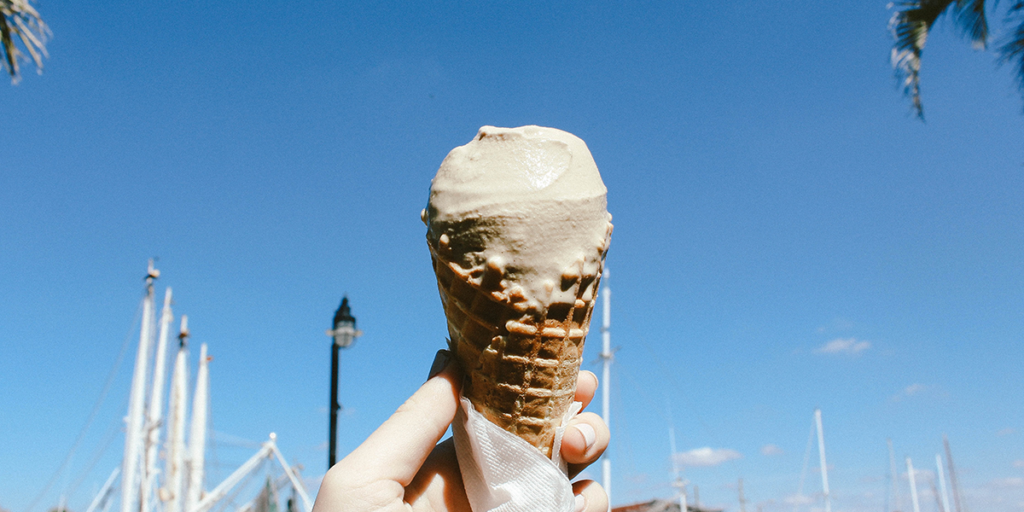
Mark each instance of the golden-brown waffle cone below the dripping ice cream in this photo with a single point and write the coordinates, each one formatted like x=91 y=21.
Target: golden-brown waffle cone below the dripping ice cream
x=521 y=364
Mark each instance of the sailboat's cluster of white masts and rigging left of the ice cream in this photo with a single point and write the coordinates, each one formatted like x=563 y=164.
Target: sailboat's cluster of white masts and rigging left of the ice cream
x=180 y=486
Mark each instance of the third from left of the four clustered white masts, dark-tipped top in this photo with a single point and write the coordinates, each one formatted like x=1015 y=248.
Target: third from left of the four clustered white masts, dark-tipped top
x=175 y=481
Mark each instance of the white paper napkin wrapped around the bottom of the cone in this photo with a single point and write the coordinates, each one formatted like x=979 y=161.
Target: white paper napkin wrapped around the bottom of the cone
x=504 y=474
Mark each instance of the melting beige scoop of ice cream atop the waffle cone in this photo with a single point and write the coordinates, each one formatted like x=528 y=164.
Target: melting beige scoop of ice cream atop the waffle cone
x=526 y=206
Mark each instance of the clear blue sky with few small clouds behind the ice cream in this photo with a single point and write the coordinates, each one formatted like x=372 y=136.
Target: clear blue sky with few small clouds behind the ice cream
x=787 y=235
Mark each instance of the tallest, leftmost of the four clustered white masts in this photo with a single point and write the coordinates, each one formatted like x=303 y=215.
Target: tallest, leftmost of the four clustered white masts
x=135 y=434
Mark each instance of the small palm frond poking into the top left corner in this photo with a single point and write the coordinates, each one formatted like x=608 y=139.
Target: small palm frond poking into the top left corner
x=20 y=20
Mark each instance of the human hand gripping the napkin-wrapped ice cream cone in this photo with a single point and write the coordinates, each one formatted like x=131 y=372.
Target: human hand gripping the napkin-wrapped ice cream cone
x=402 y=467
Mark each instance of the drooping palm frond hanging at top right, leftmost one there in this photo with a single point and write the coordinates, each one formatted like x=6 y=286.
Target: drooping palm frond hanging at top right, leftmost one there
x=911 y=26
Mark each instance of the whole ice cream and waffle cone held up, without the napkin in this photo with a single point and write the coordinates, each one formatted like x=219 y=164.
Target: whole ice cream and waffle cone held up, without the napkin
x=519 y=228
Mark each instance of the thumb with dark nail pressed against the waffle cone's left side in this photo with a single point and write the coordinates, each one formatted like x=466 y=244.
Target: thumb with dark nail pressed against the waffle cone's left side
x=399 y=448
